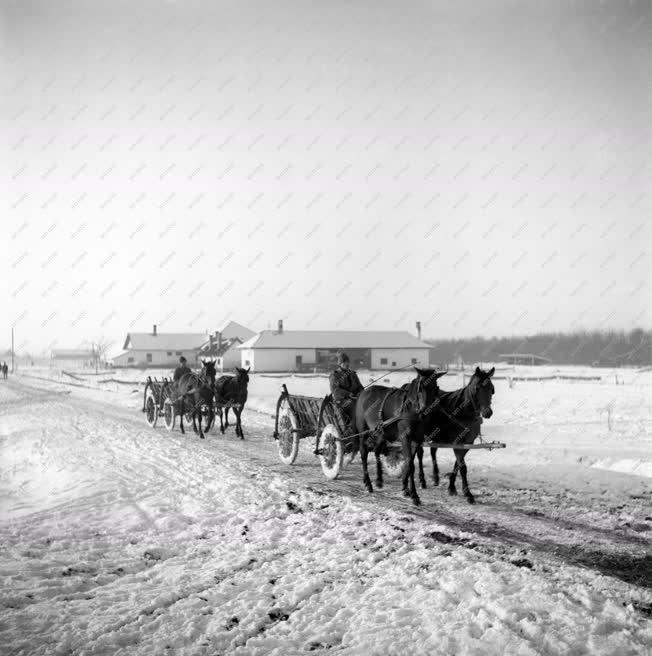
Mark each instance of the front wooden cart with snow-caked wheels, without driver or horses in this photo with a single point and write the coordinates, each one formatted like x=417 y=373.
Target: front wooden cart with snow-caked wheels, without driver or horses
x=300 y=417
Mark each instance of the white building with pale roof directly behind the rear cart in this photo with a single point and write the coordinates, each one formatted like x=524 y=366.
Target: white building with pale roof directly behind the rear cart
x=159 y=349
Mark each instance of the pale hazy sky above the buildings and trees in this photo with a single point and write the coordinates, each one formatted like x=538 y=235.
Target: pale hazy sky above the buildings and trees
x=483 y=167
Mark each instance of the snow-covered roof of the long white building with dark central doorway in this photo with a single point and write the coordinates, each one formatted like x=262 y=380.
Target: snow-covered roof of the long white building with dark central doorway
x=334 y=339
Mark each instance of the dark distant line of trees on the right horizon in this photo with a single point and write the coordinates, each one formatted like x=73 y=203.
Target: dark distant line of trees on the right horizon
x=605 y=349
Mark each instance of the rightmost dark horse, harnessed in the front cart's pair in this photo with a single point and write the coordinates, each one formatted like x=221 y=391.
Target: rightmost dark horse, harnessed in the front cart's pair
x=456 y=418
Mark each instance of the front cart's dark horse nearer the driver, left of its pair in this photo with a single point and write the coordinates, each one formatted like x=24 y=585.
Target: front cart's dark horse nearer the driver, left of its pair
x=404 y=408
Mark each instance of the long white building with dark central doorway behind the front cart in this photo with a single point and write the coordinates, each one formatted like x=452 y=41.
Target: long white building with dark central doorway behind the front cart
x=308 y=350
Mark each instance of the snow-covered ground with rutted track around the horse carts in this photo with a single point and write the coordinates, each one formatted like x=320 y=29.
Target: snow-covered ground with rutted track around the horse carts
x=121 y=539
